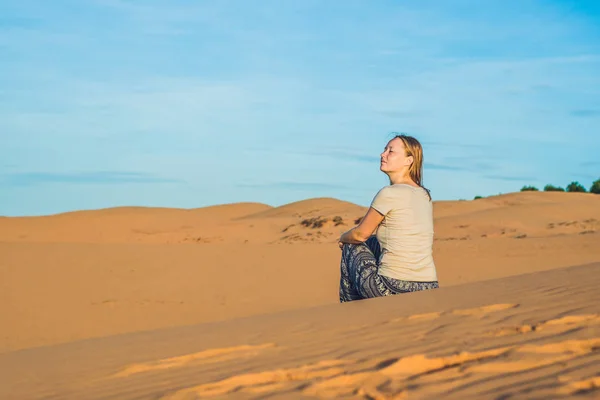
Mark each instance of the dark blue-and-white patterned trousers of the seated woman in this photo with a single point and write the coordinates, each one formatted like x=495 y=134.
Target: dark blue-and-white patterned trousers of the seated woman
x=360 y=277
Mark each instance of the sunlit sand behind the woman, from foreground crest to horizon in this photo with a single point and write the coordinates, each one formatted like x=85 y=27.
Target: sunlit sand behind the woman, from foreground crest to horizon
x=95 y=273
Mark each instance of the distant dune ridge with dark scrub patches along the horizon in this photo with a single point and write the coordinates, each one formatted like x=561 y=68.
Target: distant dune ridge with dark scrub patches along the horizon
x=525 y=214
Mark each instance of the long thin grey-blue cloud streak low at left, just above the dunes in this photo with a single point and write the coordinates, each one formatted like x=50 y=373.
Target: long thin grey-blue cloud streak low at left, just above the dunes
x=90 y=178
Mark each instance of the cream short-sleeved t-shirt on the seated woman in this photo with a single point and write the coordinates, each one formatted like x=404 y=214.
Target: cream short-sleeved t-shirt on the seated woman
x=406 y=233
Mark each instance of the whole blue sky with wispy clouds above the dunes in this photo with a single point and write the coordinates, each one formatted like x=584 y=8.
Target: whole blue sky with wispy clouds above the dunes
x=192 y=103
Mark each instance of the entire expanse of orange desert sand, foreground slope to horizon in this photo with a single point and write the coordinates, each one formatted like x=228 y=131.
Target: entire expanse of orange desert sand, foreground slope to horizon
x=240 y=301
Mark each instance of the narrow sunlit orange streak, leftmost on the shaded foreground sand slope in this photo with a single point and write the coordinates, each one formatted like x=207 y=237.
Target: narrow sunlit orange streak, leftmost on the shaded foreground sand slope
x=204 y=357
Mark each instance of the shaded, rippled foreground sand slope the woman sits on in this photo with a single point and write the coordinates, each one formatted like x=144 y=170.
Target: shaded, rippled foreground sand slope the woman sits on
x=534 y=336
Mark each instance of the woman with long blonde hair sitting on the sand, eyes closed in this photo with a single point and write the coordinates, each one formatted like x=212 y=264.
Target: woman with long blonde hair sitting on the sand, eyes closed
x=398 y=259
